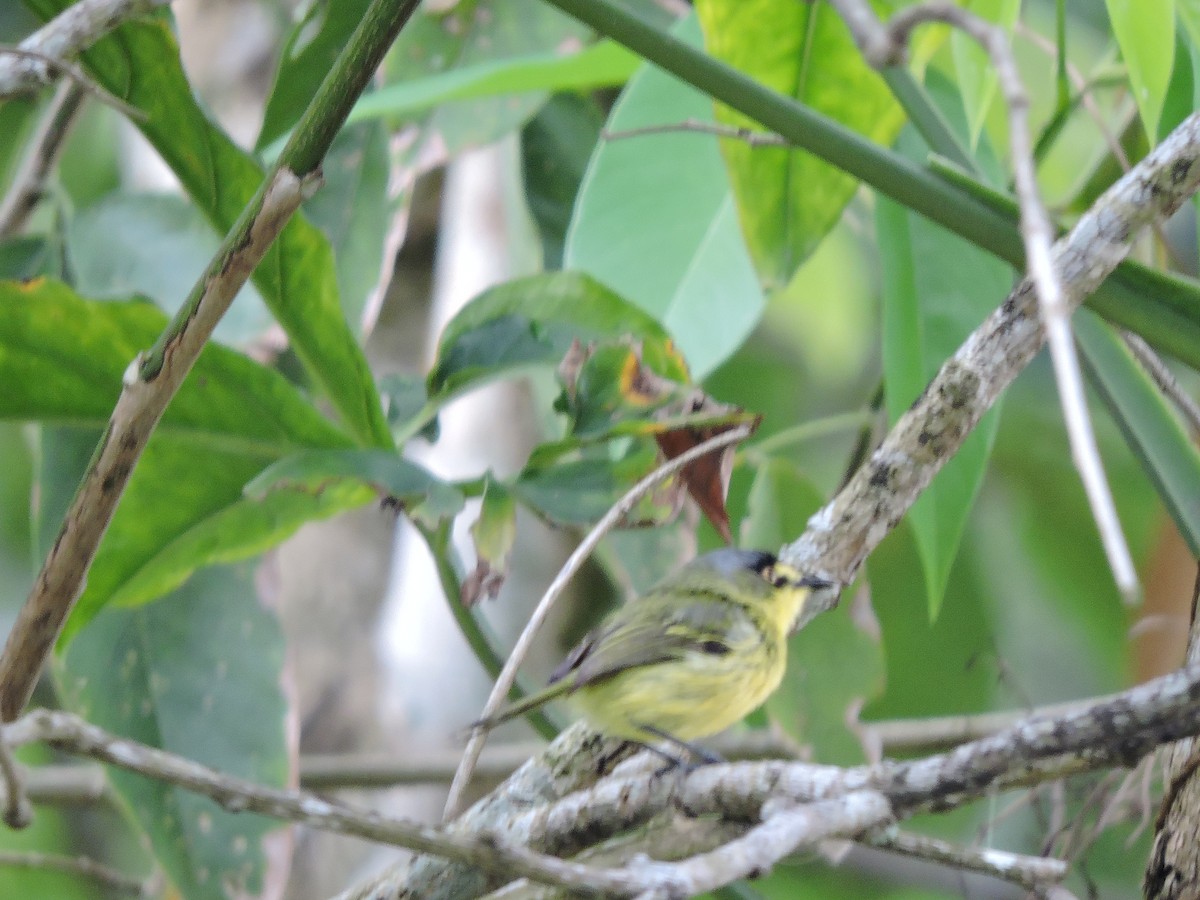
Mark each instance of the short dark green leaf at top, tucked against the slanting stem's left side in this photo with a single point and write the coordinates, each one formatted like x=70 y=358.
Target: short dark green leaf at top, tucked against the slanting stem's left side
x=309 y=53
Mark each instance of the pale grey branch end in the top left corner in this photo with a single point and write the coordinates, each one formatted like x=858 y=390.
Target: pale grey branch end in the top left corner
x=65 y=37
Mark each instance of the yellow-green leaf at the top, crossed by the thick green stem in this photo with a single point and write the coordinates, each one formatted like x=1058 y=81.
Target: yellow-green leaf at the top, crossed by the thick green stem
x=789 y=200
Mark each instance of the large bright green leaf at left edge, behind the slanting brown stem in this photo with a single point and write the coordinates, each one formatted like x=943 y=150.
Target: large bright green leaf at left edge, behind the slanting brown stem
x=62 y=359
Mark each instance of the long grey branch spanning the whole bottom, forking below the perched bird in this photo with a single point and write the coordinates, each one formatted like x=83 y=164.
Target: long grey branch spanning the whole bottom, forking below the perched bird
x=796 y=802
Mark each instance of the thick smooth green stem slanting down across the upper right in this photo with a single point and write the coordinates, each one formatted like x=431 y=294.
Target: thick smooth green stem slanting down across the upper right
x=1121 y=299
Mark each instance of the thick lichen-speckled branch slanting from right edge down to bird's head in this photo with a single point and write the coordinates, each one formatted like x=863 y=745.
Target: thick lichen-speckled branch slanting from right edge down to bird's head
x=842 y=535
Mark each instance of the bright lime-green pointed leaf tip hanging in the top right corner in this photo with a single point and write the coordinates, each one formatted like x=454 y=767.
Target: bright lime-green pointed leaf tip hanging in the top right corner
x=1145 y=32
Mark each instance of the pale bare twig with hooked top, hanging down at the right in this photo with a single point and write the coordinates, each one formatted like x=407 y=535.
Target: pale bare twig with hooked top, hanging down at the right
x=883 y=46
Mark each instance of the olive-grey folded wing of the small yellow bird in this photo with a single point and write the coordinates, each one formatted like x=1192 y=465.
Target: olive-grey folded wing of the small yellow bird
x=629 y=641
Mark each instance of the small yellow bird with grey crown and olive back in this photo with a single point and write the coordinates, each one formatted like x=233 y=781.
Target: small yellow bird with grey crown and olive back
x=698 y=653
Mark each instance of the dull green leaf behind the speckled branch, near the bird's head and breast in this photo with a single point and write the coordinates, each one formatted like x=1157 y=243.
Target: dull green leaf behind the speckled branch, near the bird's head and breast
x=832 y=663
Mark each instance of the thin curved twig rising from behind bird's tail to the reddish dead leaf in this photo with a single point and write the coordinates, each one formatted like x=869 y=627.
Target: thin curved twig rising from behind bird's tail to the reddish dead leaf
x=525 y=643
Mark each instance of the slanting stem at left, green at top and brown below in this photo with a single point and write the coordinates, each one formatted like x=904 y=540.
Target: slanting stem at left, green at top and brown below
x=153 y=380
